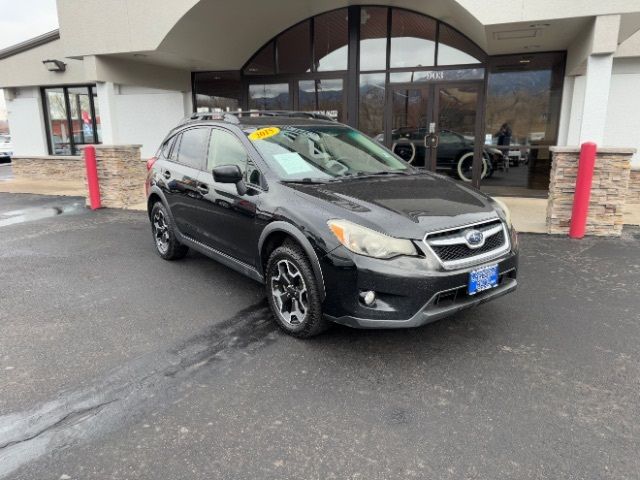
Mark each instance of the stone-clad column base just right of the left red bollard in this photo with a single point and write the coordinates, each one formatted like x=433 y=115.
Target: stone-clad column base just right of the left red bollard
x=121 y=174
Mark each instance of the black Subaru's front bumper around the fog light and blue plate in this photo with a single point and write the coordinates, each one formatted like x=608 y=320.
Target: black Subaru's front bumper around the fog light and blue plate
x=410 y=291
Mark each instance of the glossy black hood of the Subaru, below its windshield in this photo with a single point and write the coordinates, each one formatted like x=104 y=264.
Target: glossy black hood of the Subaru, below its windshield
x=403 y=206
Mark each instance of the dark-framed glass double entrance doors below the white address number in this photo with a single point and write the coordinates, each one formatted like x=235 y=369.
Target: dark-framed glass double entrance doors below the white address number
x=435 y=126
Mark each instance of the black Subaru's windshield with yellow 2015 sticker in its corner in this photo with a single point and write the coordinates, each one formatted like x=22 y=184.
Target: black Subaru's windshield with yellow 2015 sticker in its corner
x=323 y=153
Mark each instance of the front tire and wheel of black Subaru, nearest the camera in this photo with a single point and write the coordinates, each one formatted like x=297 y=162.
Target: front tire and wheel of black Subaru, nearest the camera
x=293 y=292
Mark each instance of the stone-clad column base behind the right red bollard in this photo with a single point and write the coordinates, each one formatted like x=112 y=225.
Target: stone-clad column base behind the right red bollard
x=608 y=191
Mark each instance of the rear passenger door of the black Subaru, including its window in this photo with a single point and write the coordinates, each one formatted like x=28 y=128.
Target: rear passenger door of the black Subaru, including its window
x=180 y=177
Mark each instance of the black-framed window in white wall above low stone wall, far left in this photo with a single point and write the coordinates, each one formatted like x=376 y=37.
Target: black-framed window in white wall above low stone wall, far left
x=72 y=119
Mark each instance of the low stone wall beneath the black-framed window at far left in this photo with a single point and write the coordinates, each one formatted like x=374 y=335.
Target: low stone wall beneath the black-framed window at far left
x=48 y=168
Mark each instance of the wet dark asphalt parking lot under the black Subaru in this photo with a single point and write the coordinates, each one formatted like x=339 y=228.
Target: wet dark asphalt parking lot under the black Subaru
x=116 y=364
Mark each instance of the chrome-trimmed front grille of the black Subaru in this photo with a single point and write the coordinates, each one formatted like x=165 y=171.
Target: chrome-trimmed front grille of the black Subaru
x=453 y=251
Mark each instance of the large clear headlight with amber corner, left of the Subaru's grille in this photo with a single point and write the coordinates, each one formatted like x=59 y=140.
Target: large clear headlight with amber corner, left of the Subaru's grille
x=365 y=241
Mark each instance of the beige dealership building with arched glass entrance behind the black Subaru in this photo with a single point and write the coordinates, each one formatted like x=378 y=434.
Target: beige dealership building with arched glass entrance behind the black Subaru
x=508 y=78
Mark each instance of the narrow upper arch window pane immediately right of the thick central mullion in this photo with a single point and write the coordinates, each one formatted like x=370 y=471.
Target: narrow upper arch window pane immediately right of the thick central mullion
x=373 y=38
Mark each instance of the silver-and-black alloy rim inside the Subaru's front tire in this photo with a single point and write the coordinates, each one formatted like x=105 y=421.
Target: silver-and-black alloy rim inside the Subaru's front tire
x=289 y=292
